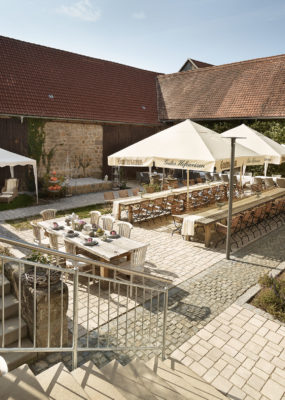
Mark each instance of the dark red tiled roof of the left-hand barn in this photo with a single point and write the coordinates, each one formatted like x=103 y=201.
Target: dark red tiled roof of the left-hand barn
x=45 y=82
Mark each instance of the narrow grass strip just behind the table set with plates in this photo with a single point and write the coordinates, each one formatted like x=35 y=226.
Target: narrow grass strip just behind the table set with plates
x=83 y=212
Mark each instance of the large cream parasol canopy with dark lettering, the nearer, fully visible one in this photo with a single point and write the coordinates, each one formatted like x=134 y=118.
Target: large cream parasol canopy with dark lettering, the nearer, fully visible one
x=188 y=146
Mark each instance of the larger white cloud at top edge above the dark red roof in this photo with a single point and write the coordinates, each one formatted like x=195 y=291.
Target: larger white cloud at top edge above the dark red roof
x=83 y=10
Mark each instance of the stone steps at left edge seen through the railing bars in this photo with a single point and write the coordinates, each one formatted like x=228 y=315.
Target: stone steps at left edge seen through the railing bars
x=11 y=328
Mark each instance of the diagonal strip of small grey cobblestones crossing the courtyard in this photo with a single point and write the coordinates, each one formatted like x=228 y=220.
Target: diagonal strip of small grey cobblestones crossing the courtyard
x=193 y=304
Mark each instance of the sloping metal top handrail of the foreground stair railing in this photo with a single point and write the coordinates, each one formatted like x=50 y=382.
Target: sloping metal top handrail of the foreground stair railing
x=57 y=253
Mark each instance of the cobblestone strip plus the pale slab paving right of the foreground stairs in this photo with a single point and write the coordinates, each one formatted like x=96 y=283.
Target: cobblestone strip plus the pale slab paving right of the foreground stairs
x=199 y=330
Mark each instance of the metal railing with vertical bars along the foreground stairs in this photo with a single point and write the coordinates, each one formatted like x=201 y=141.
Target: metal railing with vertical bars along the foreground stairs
x=103 y=315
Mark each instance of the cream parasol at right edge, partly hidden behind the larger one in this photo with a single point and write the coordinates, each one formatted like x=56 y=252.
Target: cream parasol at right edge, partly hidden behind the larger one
x=274 y=152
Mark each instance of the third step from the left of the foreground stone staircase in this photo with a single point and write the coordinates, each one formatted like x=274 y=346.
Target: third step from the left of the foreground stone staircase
x=95 y=384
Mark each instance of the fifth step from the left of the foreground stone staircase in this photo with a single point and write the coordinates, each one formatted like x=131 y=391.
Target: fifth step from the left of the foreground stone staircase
x=153 y=382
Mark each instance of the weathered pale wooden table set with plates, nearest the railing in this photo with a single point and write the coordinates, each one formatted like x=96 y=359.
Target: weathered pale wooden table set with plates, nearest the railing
x=106 y=251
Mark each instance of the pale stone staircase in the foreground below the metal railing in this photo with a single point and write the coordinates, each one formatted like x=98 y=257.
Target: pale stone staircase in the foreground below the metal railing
x=167 y=380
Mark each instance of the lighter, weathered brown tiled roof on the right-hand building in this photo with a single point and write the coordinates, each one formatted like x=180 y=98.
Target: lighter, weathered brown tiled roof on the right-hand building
x=247 y=89
